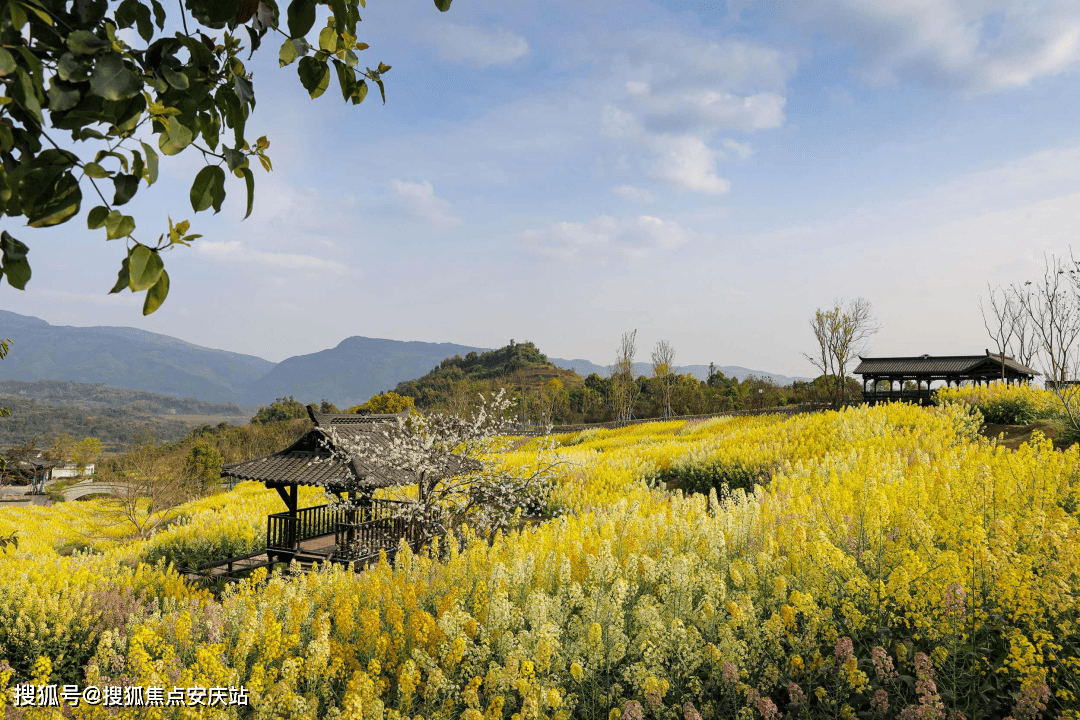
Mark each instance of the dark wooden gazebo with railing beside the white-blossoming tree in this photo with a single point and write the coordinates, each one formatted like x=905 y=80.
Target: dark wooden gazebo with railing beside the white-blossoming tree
x=325 y=533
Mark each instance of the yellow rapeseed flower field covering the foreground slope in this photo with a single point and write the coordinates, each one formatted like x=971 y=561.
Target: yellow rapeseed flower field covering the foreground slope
x=892 y=564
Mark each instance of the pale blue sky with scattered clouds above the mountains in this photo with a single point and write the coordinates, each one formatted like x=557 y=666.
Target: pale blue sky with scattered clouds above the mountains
x=708 y=173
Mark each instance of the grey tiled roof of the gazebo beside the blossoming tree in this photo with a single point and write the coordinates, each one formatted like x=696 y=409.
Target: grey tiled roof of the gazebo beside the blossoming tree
x=310 y=460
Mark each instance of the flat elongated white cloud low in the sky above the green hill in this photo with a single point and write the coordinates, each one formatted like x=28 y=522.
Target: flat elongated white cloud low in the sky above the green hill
x=606 y=236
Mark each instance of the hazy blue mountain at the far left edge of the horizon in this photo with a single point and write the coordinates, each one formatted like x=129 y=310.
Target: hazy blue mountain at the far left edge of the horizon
x=125 y=358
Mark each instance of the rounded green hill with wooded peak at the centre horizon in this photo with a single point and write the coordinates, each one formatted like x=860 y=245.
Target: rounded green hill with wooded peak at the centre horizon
x=514 y=365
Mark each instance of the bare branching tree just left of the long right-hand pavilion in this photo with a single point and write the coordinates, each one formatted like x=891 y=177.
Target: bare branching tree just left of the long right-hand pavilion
x=843 y=333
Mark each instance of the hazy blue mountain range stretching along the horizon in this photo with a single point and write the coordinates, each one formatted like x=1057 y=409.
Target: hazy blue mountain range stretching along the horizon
x=350 y=373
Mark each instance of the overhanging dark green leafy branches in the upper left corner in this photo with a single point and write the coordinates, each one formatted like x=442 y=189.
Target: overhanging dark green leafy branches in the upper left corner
x=82 y=110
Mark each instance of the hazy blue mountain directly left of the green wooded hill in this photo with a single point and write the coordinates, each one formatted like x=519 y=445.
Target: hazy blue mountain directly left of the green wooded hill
x=353 y=372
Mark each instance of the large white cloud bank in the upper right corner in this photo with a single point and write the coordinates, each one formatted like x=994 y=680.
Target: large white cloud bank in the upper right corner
x=970 y=46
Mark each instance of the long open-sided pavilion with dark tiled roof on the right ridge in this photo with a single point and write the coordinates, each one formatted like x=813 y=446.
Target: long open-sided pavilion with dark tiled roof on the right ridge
x=927 y=370
